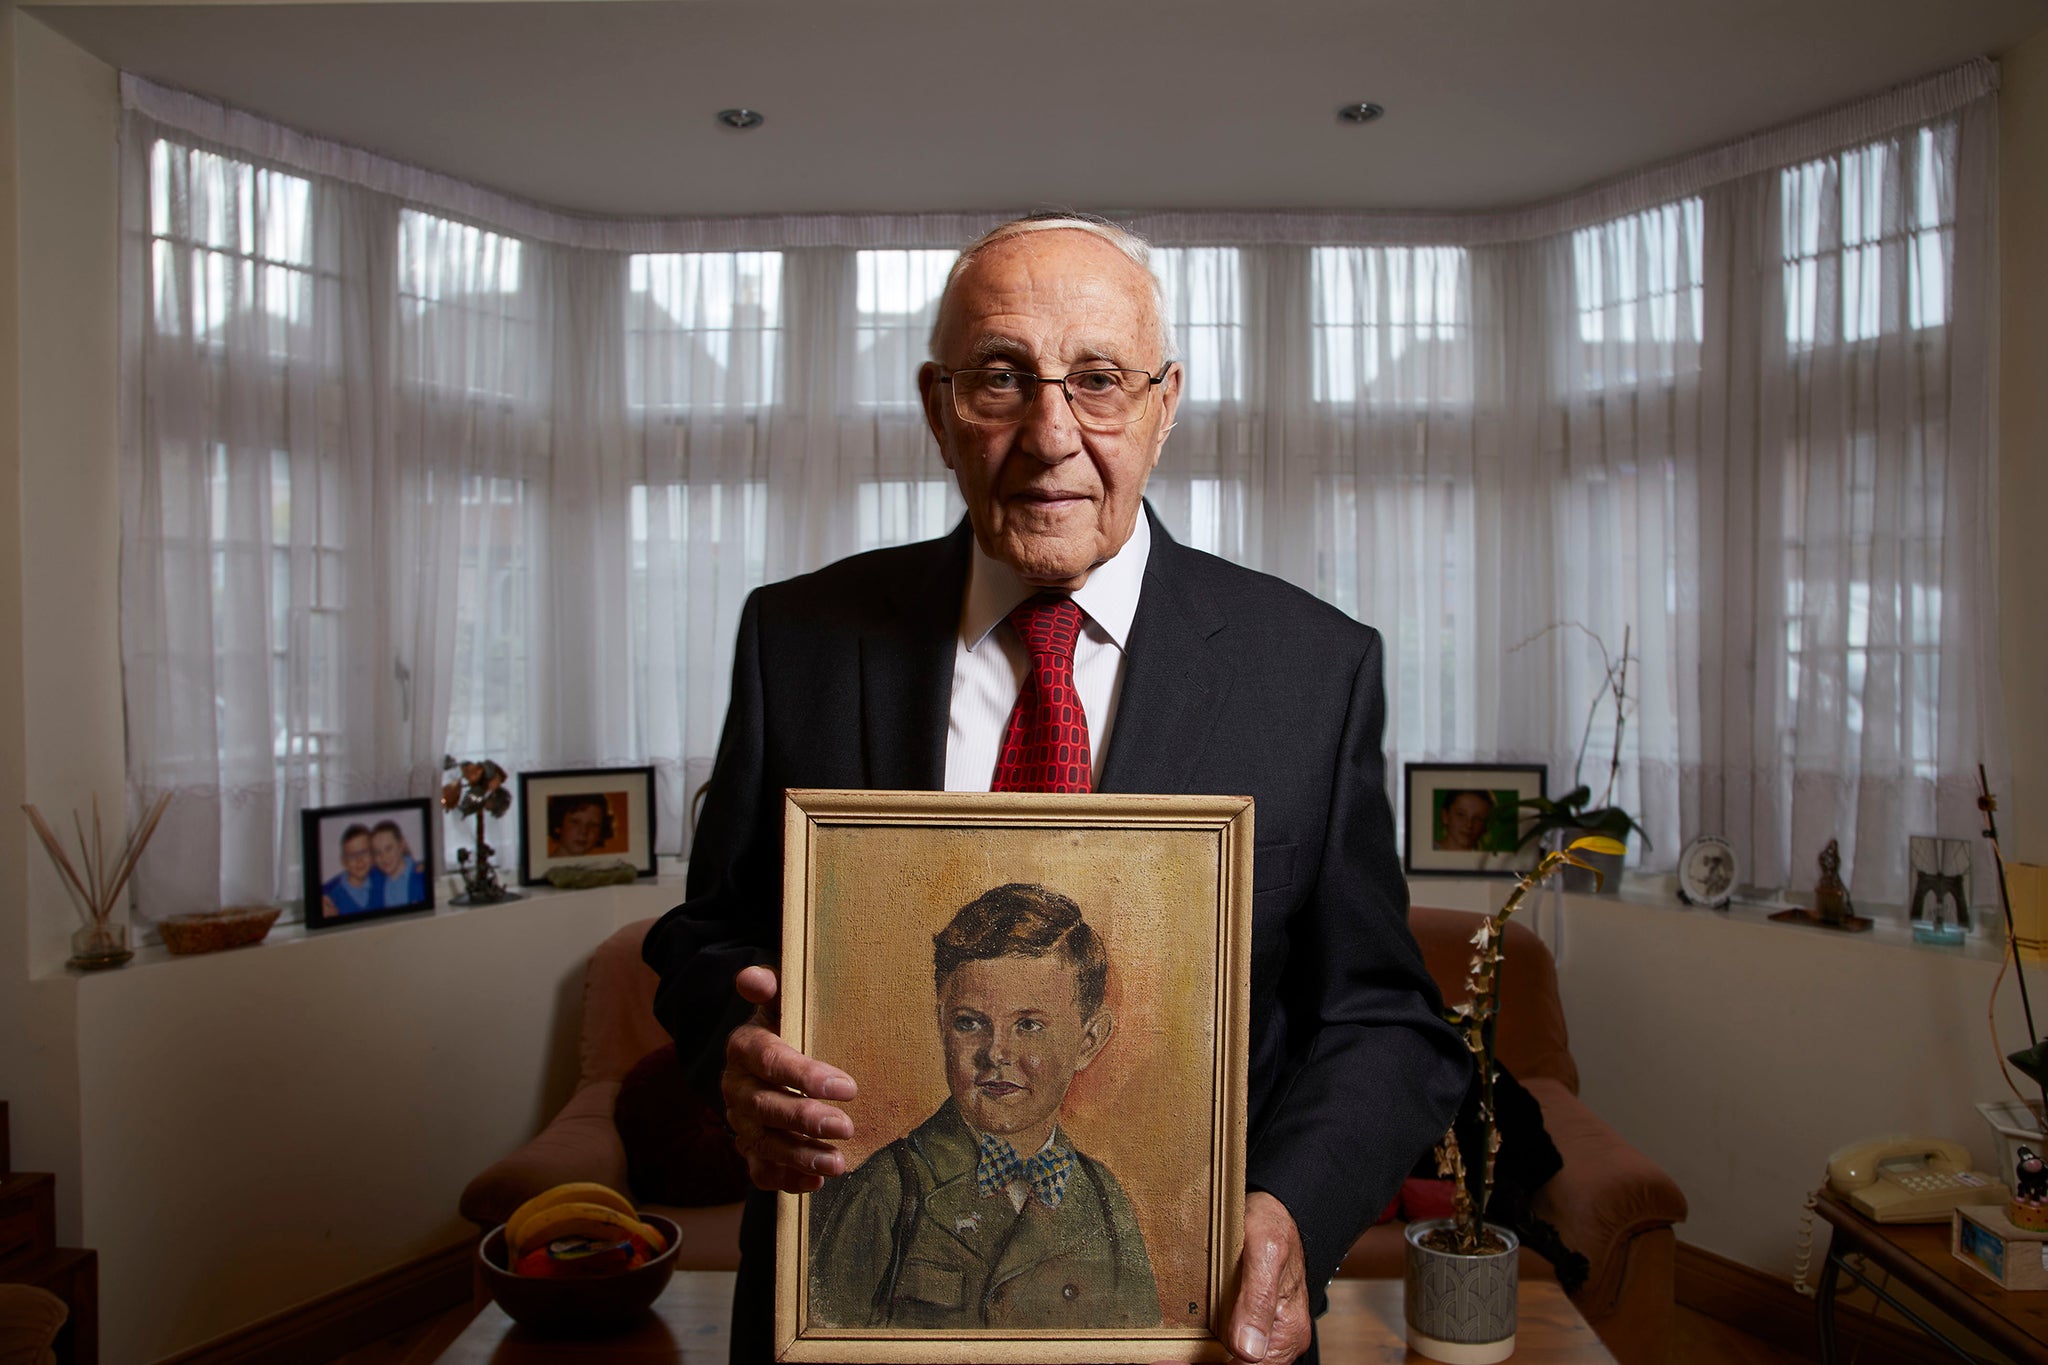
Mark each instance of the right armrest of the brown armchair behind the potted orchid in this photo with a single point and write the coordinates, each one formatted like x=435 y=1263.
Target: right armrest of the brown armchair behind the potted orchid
x=1607 y=1194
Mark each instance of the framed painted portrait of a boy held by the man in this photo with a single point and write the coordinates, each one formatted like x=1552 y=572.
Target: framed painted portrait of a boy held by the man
x=1043 y=1004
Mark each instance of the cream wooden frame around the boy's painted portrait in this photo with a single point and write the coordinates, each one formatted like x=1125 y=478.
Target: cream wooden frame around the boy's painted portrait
x=833 y=826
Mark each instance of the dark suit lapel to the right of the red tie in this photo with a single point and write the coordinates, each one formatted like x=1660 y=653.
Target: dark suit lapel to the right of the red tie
x=1175 y=682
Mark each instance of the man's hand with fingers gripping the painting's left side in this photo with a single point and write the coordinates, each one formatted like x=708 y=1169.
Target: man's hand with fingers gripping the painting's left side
x=775 y=1100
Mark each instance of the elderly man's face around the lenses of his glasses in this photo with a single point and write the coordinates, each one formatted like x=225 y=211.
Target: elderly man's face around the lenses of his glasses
x=1048 y=496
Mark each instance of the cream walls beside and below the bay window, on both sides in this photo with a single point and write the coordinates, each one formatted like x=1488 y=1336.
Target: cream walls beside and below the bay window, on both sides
x=237 y=1135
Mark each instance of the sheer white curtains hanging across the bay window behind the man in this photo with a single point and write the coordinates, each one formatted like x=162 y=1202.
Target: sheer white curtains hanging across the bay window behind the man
x=417 y=470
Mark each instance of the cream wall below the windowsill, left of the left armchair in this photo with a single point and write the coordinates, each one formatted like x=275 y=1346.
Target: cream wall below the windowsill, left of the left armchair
x=269 y=1125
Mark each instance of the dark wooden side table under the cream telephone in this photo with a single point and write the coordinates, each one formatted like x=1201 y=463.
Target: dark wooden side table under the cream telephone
x=1918 y=1256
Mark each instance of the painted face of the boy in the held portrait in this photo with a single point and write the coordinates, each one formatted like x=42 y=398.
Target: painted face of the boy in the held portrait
x=1015 y=1041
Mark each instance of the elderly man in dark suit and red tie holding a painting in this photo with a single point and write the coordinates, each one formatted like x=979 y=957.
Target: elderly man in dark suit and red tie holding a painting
x=1060 y=640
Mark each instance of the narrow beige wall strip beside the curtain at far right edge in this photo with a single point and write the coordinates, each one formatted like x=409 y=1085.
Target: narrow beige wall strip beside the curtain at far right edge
x=2024 y=433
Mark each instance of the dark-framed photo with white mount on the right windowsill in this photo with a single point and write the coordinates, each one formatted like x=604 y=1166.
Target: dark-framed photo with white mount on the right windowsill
x=1463 y=818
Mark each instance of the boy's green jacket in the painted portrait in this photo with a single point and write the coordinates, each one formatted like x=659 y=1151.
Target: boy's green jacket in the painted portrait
x=939 y=1256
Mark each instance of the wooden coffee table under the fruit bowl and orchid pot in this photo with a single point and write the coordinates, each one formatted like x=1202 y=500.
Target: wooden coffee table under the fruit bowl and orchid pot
x=1363 y=1327
